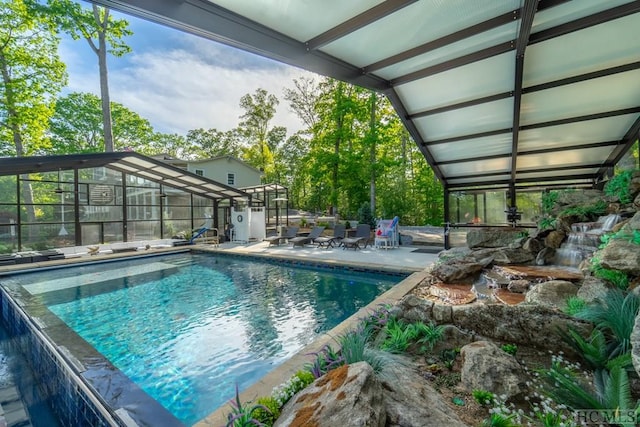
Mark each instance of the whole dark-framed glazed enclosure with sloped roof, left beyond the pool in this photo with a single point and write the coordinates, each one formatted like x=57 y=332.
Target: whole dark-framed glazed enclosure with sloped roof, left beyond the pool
x=85 y=199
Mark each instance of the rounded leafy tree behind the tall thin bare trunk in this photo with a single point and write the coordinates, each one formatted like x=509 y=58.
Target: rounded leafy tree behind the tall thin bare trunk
x=76 y=126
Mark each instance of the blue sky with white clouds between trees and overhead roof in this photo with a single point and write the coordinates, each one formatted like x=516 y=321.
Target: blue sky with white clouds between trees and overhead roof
x=178 y=81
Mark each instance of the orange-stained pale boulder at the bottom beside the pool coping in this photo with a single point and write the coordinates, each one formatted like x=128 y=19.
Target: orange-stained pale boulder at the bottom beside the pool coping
x=350 y=395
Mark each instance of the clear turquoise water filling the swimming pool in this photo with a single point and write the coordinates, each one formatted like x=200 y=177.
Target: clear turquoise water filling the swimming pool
x=193 y=326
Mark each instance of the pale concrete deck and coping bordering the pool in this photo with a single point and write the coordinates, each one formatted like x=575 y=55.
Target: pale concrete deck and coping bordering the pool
x=401 y=259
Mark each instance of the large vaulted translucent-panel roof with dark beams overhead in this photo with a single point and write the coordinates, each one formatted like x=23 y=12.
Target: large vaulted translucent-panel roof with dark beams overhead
x=495 y=93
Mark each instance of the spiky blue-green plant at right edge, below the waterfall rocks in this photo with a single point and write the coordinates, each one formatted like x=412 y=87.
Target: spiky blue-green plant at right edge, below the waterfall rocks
x=614 y=316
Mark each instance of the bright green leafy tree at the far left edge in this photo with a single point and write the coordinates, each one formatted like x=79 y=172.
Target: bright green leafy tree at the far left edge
x=31 y=75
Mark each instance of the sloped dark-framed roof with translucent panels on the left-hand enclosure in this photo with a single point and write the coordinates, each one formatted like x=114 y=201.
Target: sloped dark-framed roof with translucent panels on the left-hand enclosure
x=128 y=162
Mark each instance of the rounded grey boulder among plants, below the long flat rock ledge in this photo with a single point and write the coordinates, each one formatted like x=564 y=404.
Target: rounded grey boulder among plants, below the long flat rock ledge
x=485 y=366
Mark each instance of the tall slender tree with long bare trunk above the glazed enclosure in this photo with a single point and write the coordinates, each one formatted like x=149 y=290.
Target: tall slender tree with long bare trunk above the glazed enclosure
x=103 y=33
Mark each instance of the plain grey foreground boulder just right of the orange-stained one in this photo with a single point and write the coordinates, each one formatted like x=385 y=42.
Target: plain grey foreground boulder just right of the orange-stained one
x=409 y=400
